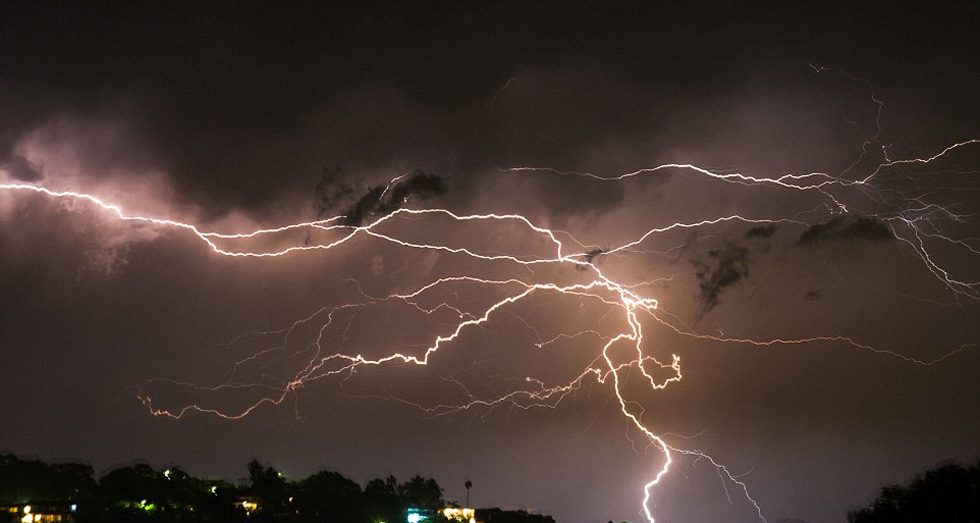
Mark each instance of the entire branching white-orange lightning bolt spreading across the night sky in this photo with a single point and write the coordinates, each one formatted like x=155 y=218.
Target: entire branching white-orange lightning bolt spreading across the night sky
x=912 y=218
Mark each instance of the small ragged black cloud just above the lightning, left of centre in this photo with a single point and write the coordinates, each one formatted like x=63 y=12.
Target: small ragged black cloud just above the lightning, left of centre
x=383 y=199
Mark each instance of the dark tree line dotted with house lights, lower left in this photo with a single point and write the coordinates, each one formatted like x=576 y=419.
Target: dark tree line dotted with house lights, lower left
x=141 y=493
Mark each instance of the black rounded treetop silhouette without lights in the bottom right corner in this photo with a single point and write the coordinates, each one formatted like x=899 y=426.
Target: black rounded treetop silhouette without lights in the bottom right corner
x=949 y=493
